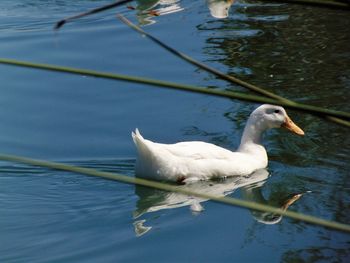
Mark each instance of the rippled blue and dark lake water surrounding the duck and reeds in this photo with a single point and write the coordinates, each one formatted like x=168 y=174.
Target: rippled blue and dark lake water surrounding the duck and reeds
x=299 y=52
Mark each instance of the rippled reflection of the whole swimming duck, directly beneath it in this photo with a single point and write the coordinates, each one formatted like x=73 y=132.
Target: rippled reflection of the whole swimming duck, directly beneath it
x=152 y=200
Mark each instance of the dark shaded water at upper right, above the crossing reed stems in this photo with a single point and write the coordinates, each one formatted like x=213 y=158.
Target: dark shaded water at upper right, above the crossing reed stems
x=293 y=52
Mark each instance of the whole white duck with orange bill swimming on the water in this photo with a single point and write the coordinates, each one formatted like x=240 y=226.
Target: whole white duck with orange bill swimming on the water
x=192 y=161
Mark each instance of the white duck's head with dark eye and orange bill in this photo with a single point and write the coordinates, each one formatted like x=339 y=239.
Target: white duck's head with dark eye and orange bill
x=270 y=116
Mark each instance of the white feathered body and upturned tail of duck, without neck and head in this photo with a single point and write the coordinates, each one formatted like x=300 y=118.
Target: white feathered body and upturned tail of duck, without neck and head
x=193 y=160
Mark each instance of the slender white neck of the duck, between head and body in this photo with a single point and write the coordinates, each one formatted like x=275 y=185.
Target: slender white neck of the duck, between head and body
x=252 y=136
